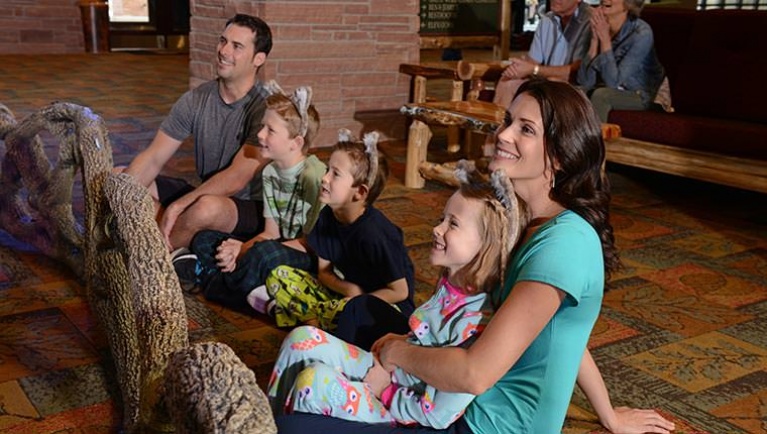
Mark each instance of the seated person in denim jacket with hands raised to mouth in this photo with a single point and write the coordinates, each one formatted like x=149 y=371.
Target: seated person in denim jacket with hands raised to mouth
x=621 y=70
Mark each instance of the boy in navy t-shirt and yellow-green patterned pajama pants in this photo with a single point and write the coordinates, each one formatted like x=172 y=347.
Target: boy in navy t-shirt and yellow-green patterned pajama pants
x=359 y=250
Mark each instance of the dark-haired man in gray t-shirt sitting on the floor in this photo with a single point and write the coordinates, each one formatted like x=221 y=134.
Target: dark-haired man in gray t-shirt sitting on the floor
x=223 y=116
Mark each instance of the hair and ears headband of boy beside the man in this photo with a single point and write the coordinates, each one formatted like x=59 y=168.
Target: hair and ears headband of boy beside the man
x=297 y=110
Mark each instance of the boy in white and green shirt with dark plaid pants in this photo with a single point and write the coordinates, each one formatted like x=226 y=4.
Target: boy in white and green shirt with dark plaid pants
x=227 y=268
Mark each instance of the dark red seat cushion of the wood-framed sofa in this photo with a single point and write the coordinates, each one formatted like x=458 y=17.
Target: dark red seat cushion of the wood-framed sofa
x=724 y=136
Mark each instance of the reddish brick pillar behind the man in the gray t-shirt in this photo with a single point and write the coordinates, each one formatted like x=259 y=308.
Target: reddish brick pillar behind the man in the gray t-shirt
x=349 y=51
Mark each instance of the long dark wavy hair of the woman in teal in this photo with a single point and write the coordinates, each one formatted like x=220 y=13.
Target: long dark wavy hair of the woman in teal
x=573 y=140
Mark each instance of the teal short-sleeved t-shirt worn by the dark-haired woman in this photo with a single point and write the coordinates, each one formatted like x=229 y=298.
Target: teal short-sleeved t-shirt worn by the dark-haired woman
x=534 y=395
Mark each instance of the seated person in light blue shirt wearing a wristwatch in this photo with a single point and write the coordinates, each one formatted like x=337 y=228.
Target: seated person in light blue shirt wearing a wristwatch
x=559 y=44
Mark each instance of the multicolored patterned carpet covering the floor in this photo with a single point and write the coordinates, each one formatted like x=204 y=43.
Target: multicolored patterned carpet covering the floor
x=684 y=329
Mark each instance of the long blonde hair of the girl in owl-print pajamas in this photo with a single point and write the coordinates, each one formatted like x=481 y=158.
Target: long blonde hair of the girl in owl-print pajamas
x=502 y=218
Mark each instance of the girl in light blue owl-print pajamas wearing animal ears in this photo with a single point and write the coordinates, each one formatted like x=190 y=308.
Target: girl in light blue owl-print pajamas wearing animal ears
x=318 y=373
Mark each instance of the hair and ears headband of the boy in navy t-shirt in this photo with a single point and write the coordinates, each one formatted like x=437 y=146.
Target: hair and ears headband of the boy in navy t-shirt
x=370 y=167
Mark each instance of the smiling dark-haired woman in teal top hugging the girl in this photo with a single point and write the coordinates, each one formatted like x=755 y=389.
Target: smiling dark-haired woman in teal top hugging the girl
x=524 y=365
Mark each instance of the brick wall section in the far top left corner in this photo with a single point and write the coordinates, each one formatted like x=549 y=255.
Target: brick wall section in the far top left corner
x=40 y=27
